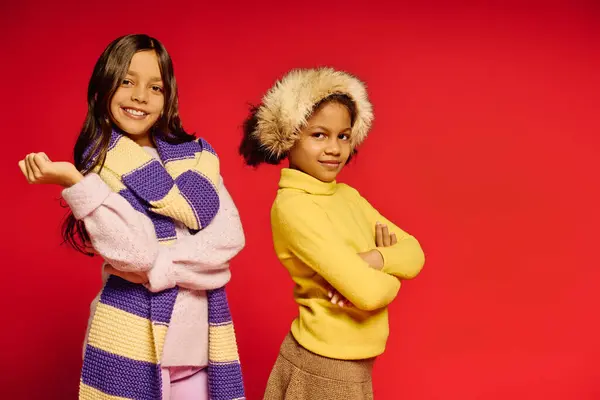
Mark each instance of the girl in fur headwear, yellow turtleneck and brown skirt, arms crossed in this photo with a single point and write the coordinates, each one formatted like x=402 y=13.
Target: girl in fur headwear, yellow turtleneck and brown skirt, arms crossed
x=346 y=259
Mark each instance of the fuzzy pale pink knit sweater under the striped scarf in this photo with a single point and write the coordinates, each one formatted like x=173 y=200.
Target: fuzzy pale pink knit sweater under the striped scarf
x=127 y=241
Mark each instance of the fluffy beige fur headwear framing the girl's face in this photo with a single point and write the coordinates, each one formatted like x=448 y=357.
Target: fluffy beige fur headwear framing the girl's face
x=288 y=104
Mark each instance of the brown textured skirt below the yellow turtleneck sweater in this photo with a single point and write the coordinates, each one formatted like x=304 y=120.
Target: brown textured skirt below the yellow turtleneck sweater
x=299 y=374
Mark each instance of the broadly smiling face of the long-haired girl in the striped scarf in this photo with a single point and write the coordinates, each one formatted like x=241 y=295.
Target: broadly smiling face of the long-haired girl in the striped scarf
x=139 y=101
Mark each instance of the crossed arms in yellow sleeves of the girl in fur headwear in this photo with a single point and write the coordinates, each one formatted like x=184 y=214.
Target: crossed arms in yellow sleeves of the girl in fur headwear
x=314 y=242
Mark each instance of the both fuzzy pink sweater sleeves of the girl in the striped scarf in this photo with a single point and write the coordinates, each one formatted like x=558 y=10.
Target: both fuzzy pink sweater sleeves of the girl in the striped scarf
x=127 y=241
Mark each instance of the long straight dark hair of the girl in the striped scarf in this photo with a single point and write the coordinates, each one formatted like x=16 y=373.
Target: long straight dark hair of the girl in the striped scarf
x=92 y=144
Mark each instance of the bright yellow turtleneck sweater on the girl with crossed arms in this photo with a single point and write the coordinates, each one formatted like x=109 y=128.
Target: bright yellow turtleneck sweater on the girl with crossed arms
x=318 y=230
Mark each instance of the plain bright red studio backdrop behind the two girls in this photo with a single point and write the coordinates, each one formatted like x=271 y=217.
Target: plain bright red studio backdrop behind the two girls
x=485 y=147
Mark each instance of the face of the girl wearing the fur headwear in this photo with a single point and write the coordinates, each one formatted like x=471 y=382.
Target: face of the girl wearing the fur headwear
x=324 y=144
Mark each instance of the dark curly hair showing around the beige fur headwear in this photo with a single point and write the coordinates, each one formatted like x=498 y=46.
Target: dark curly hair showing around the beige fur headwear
x=255 y=154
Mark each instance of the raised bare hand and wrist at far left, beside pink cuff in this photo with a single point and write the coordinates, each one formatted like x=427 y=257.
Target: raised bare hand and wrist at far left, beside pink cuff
x=39 y=169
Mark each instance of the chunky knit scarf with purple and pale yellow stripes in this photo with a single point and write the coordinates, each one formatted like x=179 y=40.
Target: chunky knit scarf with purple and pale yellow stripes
x=129 y=326
